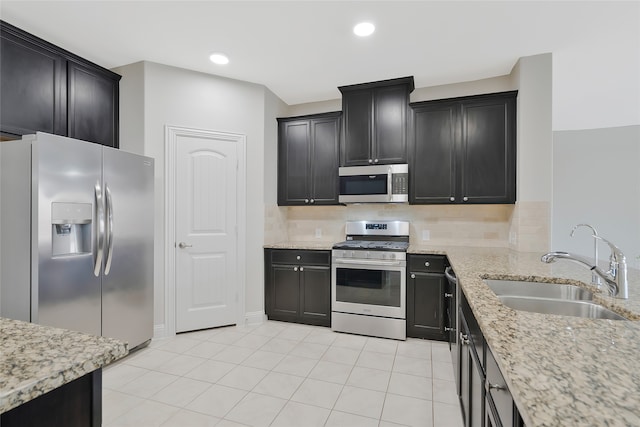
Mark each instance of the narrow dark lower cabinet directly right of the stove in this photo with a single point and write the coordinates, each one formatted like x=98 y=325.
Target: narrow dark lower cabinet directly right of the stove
x=427 y=297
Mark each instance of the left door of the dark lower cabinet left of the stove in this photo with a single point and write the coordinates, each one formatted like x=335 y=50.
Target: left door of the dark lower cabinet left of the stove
x=285 y=292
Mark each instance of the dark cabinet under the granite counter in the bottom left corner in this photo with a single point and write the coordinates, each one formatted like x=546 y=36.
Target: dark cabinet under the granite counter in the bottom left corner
x=75 y=404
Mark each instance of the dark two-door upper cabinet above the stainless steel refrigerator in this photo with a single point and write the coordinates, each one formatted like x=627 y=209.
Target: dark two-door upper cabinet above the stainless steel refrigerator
x=46 y=88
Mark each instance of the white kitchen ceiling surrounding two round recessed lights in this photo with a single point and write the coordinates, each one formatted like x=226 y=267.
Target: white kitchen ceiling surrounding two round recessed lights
x=304 y=50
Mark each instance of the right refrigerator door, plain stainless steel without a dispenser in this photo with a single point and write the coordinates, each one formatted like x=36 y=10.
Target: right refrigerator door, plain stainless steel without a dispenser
x=127 y=284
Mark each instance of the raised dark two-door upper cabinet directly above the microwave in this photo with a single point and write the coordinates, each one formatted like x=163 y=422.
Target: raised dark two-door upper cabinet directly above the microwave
x=375 y=122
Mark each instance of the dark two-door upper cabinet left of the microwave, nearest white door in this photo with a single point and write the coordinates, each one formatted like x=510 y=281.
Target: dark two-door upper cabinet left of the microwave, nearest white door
x=308 y=159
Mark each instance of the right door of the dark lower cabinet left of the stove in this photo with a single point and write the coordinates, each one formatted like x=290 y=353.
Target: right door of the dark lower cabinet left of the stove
x=315 y=295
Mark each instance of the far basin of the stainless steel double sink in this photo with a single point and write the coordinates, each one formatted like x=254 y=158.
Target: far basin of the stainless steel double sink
x=539 y=290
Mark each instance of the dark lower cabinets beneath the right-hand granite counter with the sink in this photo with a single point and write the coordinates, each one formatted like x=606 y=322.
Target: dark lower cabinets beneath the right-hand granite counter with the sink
x=485 y=400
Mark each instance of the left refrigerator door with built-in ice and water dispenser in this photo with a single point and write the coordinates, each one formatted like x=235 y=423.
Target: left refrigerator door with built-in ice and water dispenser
x=66 y=292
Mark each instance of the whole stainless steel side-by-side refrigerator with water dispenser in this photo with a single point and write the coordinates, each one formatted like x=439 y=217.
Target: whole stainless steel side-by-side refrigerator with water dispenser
x=76 y=231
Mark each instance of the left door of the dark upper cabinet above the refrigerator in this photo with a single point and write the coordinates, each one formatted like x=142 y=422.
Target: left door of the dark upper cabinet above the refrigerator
x=33 y=86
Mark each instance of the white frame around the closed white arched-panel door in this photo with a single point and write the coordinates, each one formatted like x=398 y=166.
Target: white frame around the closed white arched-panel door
x=171 y=139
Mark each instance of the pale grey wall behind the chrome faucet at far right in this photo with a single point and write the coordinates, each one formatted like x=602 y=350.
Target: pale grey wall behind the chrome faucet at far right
x=597 y=181
